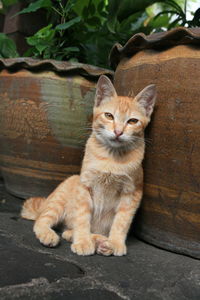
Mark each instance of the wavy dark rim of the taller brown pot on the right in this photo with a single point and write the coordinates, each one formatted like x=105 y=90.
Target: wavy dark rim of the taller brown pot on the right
x=161 y=40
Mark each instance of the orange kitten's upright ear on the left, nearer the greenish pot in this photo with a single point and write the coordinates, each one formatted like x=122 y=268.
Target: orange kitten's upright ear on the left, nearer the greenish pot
x=104 y=90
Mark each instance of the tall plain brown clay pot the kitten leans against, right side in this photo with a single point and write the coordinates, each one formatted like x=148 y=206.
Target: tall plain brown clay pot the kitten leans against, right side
x=169 y=216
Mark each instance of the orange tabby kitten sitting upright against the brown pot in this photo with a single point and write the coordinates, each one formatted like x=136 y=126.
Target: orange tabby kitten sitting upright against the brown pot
x=98 y=206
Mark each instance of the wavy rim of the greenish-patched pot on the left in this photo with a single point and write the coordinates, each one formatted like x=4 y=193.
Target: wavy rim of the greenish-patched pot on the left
x=53 y=65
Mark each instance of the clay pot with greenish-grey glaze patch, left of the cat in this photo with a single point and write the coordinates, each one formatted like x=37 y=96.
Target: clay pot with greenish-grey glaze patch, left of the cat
x=45 y=111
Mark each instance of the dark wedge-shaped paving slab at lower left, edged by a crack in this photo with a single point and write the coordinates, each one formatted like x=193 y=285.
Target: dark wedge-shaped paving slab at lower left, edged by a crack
x=20 y=265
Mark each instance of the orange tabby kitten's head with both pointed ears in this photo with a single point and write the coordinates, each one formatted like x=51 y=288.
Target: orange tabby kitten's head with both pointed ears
x=118 y=121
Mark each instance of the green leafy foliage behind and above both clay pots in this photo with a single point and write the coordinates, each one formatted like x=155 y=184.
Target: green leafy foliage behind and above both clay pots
x=85 y=30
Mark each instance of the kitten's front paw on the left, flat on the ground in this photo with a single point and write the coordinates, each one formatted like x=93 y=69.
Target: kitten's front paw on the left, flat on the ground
x=84 y=247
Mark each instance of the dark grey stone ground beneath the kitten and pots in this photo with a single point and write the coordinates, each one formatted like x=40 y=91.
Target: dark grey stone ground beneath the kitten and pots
x=30 y=271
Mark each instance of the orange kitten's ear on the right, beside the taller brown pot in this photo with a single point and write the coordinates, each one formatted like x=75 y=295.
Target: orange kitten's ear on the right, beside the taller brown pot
x=146 y=98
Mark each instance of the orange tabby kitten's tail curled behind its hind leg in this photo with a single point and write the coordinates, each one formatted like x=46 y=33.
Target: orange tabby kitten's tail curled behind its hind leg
x=32 y=208
